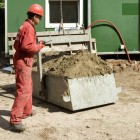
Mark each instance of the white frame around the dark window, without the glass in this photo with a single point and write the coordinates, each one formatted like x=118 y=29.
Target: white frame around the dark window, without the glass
x=66 y=25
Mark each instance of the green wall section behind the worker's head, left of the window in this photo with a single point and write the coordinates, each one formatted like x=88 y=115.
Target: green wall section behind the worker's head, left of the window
x=17 y=10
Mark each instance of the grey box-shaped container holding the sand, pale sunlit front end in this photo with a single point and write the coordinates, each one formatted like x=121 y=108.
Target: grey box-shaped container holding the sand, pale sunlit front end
x=78 y=93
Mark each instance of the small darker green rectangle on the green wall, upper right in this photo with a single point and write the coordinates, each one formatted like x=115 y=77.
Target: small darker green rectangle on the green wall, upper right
x=130 y=9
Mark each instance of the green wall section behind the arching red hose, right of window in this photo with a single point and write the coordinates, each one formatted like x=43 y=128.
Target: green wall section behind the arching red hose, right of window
x=128 y=25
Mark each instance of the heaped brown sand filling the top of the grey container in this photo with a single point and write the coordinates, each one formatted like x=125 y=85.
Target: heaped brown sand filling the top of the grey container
x=81 y=64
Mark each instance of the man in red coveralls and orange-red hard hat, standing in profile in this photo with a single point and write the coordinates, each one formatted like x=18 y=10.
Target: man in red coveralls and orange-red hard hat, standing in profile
x=26 y=46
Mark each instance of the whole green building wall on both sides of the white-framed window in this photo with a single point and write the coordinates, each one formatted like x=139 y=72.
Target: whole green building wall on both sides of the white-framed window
x=123 y=13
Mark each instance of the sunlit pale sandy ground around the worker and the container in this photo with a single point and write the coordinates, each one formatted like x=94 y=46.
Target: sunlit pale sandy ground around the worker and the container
x=119 y=121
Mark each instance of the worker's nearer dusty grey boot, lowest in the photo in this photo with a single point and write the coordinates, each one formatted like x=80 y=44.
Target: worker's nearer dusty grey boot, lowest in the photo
x=18 y=127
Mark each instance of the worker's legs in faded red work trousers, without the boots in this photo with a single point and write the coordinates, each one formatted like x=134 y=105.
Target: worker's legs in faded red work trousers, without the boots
x=23 y=95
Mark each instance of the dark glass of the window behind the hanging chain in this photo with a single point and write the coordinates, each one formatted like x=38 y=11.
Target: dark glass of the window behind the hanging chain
x=70 y=11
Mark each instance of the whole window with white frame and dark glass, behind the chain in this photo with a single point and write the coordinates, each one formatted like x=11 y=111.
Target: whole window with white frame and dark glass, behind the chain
x=72 y=11
